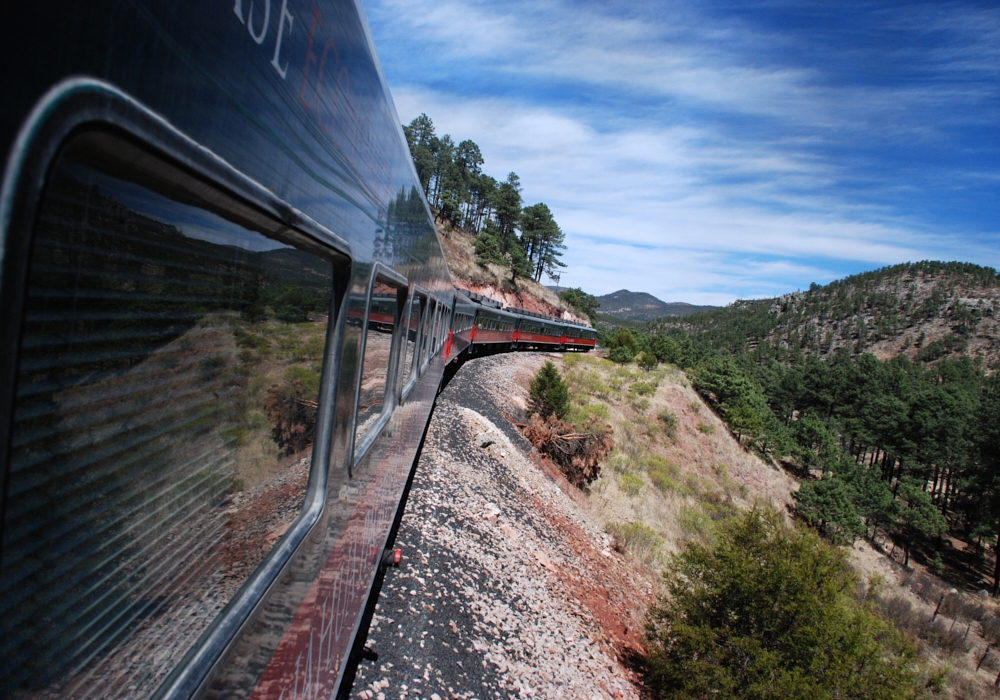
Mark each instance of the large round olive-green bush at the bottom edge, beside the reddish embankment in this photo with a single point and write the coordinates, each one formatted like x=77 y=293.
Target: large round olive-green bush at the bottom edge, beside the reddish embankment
x=769 y=612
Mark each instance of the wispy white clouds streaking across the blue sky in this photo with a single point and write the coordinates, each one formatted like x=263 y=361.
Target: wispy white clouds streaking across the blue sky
x=646 y=186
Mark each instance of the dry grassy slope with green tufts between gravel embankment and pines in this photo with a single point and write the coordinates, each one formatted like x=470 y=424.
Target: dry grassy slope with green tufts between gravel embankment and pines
x=675 y=469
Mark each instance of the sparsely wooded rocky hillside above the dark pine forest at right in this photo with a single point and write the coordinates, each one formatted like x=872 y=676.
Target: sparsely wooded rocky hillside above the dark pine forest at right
x=925 y=310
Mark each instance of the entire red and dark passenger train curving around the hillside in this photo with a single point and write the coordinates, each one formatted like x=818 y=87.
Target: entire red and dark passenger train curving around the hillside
x=226 y=316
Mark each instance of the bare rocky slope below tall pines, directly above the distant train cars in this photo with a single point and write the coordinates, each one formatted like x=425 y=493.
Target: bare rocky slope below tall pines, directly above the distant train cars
x=491 y=280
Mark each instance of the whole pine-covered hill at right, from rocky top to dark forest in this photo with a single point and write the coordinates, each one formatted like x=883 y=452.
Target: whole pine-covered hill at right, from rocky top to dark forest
x=879 y=390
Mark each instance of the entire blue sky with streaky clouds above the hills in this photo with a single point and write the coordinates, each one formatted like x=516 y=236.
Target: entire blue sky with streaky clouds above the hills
x=709 y=151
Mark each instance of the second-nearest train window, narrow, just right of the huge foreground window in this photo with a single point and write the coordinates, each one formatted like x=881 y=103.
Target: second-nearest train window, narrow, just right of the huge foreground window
x=378 y=345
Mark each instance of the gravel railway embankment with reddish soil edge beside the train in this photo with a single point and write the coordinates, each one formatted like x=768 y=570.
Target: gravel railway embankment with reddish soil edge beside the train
x=508 y=586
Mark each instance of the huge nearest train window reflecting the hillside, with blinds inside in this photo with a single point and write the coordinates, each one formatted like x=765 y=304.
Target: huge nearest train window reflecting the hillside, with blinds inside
x=165 y=408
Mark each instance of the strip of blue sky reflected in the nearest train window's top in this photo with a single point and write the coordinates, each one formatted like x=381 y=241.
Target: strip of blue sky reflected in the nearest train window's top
x=191 y=221
